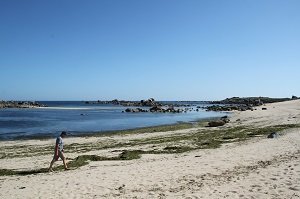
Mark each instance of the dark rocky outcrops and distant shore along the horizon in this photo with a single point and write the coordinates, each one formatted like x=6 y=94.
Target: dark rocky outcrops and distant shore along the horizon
x=234 y=103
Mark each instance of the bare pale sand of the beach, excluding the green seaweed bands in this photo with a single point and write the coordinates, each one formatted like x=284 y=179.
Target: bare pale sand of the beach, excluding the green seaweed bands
x=255 y=168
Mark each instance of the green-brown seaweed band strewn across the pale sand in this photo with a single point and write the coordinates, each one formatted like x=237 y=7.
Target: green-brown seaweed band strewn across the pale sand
x=201 y=139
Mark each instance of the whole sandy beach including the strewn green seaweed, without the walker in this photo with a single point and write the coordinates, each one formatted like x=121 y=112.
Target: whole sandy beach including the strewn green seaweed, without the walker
x=236 y=160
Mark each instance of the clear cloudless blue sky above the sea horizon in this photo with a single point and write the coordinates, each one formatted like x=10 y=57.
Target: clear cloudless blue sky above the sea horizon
x=165 y=49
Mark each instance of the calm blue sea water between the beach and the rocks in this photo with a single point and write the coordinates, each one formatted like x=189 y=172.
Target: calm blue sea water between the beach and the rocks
x=80 y=118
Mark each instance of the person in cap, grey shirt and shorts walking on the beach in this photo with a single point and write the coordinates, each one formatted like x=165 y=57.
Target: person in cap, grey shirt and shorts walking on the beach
x=59 y=151
